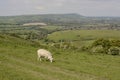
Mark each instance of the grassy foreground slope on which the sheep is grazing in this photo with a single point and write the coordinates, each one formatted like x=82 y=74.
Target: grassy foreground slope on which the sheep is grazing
x=18 y=61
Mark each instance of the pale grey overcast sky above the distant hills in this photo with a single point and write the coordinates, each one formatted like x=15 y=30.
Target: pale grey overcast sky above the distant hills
x=83 y=7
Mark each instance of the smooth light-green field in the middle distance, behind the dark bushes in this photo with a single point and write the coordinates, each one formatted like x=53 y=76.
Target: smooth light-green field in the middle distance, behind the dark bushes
x=84 y=37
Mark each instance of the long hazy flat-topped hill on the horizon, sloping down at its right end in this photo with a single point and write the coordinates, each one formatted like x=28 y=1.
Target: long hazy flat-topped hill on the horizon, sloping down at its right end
x=41 y=18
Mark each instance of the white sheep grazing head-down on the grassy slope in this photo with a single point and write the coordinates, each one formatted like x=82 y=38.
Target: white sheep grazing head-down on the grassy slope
x=44 y=53
